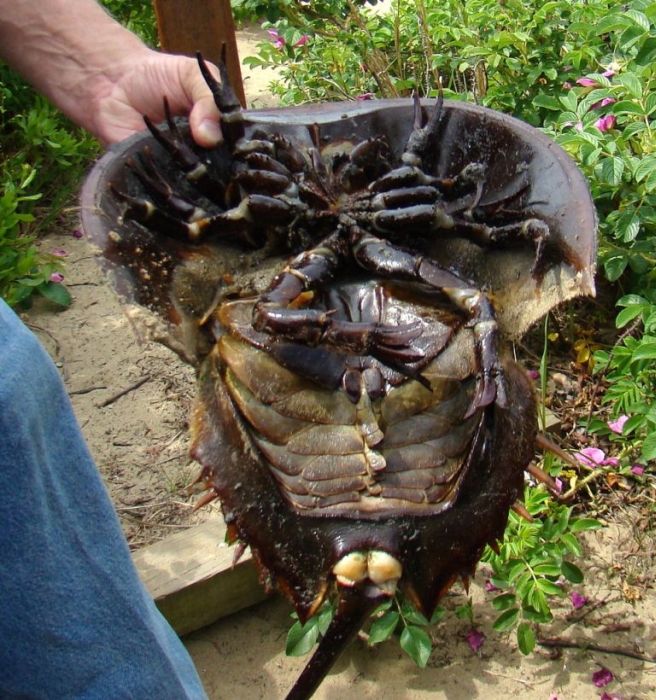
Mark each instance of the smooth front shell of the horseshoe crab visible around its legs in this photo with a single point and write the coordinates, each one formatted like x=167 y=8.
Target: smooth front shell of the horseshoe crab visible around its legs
x=178 y=281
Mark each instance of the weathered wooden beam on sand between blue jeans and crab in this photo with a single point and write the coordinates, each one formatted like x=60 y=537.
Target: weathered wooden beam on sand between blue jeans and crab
x=192 y=580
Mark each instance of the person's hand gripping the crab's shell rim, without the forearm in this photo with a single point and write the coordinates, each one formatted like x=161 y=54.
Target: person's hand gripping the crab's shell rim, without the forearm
x=137 y=88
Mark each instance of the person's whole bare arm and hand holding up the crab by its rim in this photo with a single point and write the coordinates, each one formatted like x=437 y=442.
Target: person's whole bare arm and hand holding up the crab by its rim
x=99 y=73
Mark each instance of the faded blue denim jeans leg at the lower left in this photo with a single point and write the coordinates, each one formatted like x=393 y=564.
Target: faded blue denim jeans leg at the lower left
x=75 y=621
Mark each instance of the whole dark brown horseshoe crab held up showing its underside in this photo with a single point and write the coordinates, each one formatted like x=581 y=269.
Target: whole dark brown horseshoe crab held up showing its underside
x=347 y=278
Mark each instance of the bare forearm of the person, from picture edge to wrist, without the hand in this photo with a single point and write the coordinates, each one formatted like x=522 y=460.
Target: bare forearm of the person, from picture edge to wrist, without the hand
x=70 y=50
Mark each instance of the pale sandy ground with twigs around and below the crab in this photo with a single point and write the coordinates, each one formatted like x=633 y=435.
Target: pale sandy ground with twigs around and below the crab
x=139 y=440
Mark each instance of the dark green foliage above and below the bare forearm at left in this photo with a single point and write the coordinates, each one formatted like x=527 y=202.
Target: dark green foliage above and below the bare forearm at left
x=43 y=157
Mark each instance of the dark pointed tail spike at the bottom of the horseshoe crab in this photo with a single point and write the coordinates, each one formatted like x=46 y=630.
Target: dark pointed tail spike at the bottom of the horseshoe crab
x=353 y=609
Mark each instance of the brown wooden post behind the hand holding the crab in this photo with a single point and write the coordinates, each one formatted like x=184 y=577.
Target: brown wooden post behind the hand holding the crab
x=185 y=27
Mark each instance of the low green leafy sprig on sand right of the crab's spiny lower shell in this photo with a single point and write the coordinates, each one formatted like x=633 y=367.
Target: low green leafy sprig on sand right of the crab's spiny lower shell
x=532 y=563
